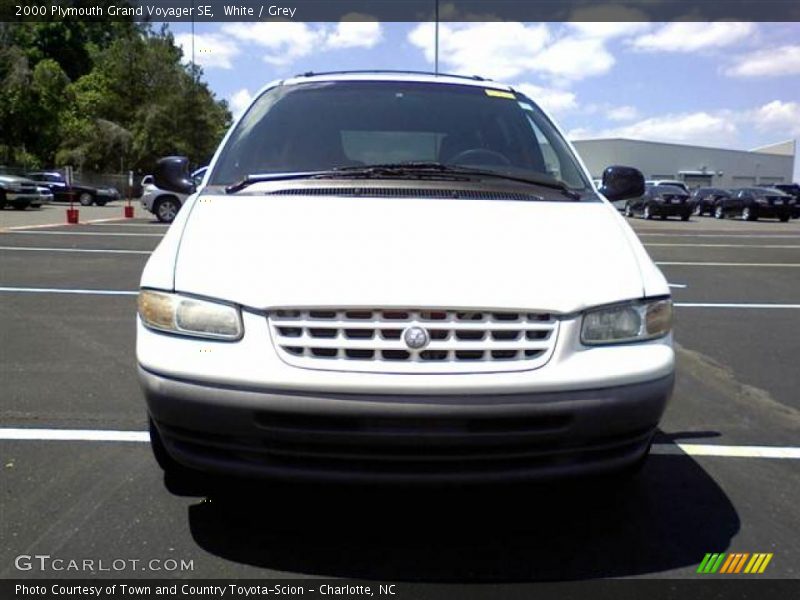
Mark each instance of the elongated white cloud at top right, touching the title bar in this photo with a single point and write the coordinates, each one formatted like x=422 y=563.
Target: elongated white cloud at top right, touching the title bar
x=693 y=36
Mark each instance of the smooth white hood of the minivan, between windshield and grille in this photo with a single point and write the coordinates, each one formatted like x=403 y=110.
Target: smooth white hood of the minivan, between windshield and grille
x=266 y=251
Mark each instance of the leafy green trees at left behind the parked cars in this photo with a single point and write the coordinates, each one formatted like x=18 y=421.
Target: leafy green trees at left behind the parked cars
x=105 y=97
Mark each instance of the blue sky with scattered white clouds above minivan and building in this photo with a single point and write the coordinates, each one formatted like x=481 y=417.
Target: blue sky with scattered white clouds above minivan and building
x=725 y=84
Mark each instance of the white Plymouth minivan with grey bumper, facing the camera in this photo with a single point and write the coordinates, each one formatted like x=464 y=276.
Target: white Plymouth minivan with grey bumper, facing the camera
x=401 y=276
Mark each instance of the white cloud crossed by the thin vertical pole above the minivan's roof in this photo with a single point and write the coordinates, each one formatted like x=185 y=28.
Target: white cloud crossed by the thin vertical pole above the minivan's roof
x=497 y=49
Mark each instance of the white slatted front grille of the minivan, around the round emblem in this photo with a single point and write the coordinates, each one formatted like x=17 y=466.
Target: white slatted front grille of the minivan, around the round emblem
x=375 y=340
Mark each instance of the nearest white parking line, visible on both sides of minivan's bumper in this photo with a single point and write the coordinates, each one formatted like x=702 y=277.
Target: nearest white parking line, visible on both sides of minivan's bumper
x=106 y=435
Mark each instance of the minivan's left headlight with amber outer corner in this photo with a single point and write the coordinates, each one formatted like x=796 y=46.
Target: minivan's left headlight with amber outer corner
x=186 y=315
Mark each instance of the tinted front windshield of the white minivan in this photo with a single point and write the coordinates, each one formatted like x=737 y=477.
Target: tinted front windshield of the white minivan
x=324 y=125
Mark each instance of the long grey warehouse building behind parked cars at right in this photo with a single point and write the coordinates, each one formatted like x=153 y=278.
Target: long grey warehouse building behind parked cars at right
x=695 y=165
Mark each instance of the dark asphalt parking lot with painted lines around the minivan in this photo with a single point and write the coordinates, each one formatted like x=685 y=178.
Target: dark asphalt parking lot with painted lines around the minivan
x=723 y=476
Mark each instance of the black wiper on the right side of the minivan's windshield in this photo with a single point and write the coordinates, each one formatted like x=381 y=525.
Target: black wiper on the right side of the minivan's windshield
x=422 y=168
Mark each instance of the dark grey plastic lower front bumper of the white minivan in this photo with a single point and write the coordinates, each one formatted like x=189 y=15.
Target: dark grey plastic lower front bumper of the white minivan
x=293 y=434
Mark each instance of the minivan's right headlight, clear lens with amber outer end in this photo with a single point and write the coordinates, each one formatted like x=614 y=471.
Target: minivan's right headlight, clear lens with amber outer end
x=632 y=322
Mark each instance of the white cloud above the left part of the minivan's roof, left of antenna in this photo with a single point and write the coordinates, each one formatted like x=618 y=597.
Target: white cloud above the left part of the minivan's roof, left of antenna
x=287 y=42
